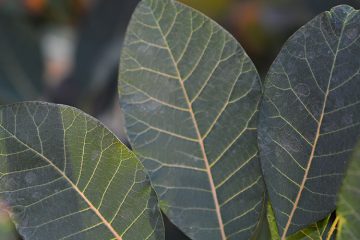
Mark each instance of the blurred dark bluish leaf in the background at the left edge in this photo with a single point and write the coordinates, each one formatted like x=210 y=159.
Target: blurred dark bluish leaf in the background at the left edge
x=21 y=66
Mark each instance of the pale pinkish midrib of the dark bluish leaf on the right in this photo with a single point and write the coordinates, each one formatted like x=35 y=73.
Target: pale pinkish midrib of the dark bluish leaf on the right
x=316 y=139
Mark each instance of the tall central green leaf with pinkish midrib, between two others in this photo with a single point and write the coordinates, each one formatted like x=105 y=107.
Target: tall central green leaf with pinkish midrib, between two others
x=190 y=96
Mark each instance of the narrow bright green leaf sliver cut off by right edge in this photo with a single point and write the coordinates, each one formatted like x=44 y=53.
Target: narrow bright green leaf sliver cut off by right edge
x=348 y=207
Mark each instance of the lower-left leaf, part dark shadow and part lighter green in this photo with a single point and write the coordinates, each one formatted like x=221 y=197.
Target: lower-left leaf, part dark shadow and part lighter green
x=65 y=176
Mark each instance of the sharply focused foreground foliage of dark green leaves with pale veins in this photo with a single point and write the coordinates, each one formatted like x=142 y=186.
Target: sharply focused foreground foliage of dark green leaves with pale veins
x=228 y=158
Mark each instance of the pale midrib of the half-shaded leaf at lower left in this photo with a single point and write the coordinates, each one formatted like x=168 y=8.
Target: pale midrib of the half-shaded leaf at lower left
x=82 y=195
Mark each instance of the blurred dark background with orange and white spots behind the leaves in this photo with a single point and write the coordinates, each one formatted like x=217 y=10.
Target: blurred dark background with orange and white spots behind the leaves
x=67 y=51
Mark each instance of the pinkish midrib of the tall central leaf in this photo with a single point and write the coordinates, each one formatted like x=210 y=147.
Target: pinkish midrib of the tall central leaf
x=196 y=127
